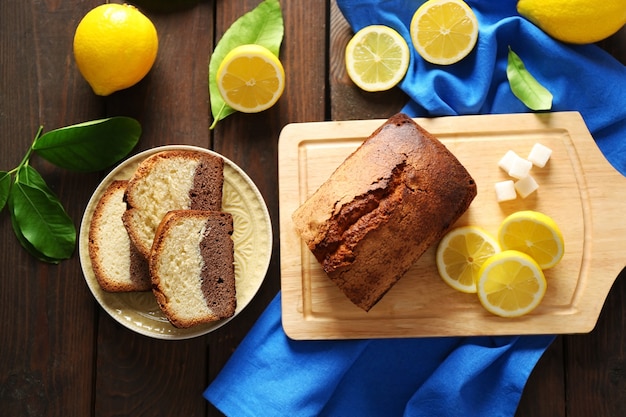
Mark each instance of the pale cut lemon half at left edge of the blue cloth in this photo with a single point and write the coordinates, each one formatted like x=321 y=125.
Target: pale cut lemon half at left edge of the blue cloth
x=377 y=58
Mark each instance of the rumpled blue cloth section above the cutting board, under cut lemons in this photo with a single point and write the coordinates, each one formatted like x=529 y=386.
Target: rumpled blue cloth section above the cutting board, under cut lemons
x=581 y=78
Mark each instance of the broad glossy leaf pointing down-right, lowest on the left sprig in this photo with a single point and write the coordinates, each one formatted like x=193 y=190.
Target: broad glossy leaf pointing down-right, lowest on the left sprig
x=40 y=223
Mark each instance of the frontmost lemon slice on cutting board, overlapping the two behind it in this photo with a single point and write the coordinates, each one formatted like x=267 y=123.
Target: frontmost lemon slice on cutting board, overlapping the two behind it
x=510 y=284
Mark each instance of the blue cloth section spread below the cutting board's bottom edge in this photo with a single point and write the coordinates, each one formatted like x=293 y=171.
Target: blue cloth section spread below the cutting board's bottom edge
x=272 y=375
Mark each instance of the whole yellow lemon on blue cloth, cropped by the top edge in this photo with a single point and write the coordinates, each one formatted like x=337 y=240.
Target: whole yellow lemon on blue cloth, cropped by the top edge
x=575 y=21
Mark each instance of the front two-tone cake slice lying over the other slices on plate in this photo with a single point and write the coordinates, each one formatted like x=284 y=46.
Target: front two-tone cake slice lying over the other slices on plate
x=192 y=267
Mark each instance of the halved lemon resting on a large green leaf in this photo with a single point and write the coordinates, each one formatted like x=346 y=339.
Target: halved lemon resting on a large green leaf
x=250 y=78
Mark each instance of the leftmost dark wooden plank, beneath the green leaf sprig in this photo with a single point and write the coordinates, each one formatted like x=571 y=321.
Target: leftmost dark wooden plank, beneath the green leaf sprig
x=46 y=311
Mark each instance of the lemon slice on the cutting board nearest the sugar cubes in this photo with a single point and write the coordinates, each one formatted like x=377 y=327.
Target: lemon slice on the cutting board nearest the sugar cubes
x=535 y=234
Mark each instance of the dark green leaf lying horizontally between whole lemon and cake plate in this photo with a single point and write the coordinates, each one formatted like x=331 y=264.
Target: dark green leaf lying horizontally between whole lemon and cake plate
x=89 y=146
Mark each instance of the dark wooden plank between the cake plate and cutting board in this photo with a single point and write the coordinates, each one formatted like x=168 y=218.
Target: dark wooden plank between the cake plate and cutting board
x=251 y=140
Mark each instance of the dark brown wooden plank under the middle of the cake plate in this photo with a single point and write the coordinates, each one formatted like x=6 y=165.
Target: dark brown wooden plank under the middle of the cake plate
x=137 y=375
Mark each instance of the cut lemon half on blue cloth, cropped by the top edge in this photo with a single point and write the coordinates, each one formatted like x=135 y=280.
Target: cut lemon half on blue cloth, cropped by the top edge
x=444 y=31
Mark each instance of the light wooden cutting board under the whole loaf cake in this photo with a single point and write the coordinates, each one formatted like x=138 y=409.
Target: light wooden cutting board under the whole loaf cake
x=578 y=188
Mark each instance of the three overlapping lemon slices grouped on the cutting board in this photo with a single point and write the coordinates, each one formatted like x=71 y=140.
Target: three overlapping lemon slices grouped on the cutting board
x=507 y=273
